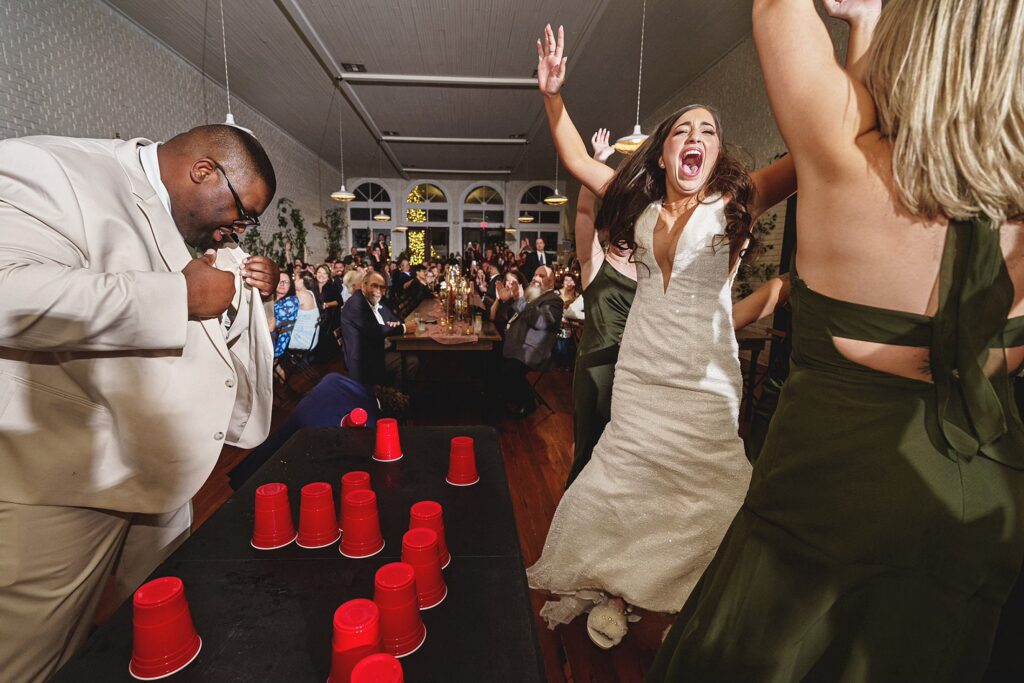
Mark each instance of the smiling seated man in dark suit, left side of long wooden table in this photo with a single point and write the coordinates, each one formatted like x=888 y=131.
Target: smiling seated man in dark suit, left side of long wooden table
x=366 y=325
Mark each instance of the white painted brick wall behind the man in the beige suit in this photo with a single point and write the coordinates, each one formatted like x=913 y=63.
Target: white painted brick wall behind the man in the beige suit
x=79 y=68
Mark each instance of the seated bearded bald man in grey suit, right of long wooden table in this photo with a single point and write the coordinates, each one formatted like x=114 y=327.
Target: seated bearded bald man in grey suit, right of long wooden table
x=531 y=336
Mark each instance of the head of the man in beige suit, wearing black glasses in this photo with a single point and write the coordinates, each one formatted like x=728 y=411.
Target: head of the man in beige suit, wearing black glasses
x=210 y=173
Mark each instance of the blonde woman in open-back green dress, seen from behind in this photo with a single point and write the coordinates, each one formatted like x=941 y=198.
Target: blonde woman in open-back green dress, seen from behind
x=884 y=526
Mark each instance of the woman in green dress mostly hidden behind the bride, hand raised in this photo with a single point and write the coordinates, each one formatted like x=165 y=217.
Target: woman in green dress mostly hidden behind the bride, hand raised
x=610 y=282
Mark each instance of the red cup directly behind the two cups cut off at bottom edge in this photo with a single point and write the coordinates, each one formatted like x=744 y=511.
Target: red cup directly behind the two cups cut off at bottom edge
x=395 y=593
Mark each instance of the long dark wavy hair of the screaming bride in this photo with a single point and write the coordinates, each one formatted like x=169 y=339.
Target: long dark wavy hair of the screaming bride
x=641 y=181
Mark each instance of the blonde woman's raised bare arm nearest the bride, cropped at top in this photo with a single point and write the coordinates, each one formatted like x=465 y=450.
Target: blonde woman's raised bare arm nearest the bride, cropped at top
x=820 y=108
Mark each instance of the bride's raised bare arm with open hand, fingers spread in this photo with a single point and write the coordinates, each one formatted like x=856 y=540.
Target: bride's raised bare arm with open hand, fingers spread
x=572 y=150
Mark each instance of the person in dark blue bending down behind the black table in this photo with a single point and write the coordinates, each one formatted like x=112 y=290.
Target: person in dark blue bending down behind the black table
x=325 y=406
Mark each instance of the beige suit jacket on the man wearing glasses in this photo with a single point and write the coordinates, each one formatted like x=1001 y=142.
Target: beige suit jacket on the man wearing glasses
x=110 y=397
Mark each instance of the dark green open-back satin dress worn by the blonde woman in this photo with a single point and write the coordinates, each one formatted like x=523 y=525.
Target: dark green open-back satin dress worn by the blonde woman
x=884 y=527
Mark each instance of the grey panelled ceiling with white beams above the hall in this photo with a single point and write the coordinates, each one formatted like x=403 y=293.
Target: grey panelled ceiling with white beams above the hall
x=284 y=57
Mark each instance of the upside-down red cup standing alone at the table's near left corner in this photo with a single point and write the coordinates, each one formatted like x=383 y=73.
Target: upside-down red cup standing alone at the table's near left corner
x=165 y=639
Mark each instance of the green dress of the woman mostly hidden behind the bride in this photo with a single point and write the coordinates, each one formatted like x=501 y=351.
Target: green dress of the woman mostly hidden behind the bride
x=607 y=305
